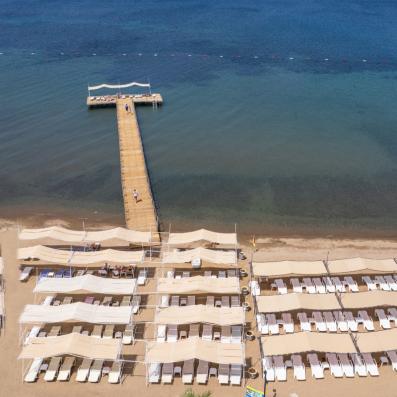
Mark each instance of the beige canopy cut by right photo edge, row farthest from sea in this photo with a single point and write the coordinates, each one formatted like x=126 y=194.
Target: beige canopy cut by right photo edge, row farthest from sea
x=379 y=341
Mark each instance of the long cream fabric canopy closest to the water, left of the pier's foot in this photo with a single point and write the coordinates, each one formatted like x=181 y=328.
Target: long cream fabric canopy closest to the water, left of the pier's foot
x=57 y=233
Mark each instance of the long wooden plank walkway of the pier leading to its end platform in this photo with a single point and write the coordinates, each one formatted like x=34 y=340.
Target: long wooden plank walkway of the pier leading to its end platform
x=139 y=215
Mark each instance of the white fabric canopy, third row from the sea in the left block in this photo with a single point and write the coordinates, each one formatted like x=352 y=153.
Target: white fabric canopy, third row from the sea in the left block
x=86 y=284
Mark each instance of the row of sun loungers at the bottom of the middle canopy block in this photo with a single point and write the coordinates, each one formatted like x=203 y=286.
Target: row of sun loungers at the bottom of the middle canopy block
x=226 y=374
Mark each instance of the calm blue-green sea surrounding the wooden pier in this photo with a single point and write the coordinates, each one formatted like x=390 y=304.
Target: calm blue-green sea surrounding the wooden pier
x=279 y=117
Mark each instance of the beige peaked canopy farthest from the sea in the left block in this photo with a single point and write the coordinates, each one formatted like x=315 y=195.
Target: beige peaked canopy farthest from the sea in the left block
x=72 y=344
